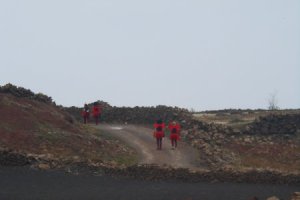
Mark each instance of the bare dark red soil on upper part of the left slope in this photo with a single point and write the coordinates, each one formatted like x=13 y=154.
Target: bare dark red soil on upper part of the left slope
x=24 y=121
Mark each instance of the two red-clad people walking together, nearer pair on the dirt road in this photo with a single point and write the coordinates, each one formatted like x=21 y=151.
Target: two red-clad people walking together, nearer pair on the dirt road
x=159 y=133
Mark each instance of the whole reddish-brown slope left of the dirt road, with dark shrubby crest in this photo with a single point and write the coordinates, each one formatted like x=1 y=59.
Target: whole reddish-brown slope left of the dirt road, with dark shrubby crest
x=32 y=126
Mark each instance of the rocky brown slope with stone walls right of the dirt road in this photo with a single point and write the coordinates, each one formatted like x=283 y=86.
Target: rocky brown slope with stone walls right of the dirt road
x=270 y=142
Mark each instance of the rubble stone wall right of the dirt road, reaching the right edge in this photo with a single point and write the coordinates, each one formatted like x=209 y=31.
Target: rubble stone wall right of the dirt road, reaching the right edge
x=213 y=140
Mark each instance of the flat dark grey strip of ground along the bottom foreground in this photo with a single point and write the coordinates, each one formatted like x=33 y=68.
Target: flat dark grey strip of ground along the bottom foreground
x=24 y=183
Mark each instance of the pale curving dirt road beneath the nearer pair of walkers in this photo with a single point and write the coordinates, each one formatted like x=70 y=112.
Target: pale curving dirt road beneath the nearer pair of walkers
x=142 y=140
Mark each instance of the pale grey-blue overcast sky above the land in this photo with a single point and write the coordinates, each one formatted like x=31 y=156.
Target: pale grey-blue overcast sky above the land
x=201 y=54
